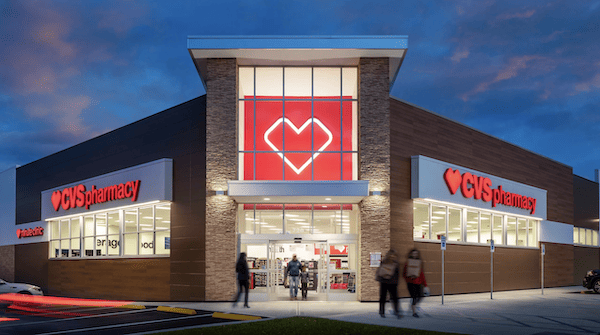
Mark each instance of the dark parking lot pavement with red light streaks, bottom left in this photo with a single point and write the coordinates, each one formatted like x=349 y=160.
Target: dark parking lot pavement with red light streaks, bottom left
x=38 y=318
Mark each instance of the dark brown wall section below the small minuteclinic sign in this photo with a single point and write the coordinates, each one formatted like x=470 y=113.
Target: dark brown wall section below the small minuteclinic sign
x=31 y=264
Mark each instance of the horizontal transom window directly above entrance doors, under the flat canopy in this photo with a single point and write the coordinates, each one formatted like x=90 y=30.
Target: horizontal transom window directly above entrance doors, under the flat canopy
x=297 y=218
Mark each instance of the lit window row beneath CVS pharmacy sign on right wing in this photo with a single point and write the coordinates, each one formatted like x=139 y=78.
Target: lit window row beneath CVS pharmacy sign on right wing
x=431 y=221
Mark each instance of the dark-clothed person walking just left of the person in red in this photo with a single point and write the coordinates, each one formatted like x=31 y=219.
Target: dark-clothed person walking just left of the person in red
x=387 y=275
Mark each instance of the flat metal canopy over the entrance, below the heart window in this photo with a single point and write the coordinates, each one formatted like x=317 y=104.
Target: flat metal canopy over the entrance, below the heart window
x=298 y=192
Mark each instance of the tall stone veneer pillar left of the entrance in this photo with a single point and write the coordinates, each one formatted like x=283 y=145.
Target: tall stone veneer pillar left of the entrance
x=221 y=166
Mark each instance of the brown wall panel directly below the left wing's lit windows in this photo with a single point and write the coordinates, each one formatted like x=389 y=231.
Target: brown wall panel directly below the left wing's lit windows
x=121 y=279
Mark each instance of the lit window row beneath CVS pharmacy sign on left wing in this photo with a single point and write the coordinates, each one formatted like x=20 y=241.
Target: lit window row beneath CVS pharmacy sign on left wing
x=142 y=231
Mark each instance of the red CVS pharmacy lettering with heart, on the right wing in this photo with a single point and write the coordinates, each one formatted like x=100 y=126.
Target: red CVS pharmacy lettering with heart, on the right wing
x=480 y=188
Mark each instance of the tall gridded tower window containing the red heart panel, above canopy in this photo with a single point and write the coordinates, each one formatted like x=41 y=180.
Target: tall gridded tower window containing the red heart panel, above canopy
x=298 y=123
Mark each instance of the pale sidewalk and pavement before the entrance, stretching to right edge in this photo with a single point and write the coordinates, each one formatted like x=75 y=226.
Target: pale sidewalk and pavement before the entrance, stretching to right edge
x=563 y=310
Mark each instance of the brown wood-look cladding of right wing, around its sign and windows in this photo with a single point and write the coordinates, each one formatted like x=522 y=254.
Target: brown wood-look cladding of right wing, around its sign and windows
x=418 y=132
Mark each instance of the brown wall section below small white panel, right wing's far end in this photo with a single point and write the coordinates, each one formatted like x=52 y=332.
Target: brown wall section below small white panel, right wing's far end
x=558 y=265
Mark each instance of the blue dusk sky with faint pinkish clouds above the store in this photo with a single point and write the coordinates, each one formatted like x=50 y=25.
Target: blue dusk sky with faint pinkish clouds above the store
x=525 y=72
